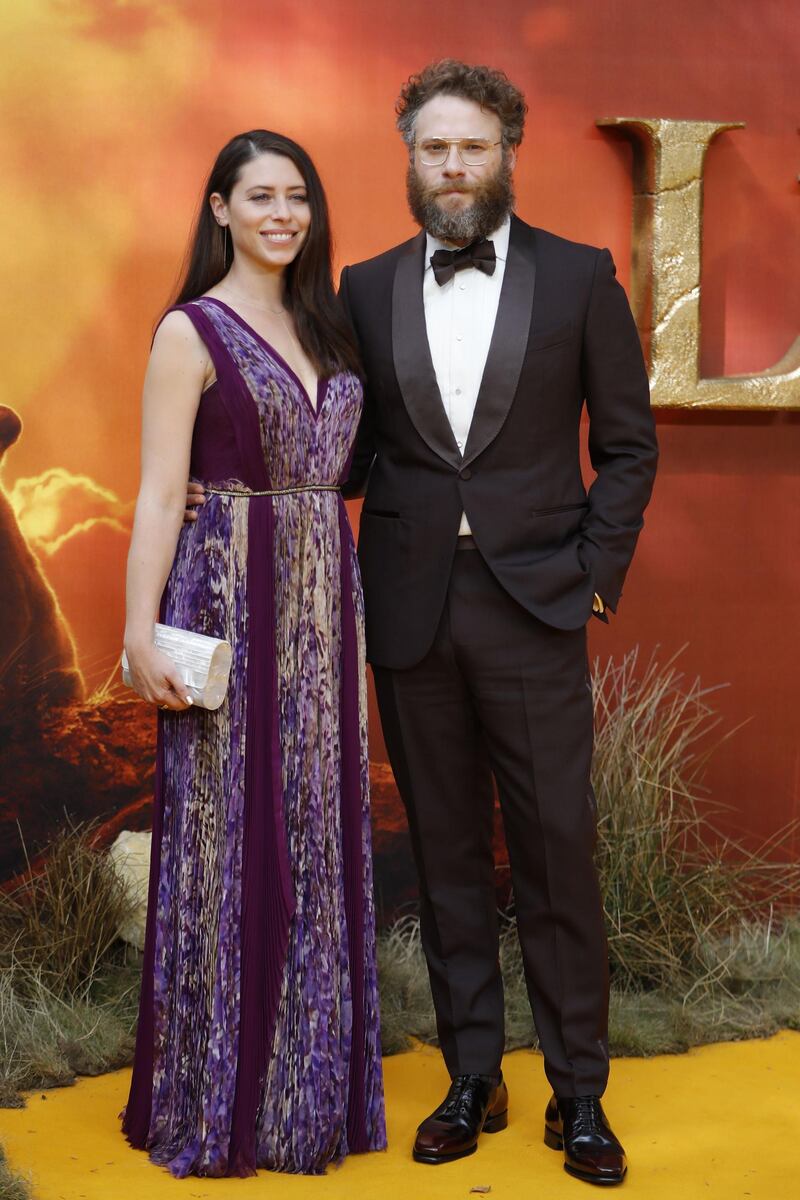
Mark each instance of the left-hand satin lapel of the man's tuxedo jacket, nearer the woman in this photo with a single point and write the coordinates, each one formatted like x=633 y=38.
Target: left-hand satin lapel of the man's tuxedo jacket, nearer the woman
x=413 y=362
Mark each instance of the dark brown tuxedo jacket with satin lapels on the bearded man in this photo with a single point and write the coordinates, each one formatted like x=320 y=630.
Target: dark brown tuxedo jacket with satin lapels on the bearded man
x=564 y=335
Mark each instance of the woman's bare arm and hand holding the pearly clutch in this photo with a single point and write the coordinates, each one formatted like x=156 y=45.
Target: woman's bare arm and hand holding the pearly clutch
x=177 y=373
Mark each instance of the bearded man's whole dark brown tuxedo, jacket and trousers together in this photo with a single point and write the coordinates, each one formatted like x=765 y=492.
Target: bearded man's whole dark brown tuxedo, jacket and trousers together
x=479 y=657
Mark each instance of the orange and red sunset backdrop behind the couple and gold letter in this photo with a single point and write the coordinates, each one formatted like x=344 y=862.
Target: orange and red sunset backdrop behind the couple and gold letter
x=112 y=116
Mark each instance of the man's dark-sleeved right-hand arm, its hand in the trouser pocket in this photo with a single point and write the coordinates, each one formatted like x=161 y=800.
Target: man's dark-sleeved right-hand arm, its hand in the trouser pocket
x=622 y=433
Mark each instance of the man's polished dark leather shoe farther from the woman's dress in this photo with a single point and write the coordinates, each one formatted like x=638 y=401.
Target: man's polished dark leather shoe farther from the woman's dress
x=592 y=1151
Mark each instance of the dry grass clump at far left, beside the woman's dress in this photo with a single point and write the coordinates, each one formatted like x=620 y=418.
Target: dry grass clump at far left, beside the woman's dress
x=69 y=988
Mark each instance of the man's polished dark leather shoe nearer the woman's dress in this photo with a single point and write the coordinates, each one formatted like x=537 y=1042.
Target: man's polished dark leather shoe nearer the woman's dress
x=473 y=1106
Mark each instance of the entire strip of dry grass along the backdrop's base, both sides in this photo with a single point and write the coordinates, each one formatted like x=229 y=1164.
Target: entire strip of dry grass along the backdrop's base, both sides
x=705 y=944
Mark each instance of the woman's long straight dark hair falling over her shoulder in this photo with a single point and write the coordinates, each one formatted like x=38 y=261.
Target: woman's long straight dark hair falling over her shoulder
x=322 y=326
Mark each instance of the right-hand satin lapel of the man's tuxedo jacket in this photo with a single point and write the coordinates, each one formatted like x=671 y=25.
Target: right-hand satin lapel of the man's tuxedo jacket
x=509 y=343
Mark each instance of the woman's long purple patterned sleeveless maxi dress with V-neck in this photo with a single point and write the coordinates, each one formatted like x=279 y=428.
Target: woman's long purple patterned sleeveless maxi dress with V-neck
x=258 y=1041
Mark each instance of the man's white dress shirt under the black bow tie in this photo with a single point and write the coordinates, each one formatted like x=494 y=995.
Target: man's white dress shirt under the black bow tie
x=460 y=319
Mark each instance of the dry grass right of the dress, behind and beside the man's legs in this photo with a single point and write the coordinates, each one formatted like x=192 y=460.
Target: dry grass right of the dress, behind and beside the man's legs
x=705 y=939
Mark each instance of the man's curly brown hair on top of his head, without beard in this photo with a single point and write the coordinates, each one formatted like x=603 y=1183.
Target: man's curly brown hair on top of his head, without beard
x=488 y=87
